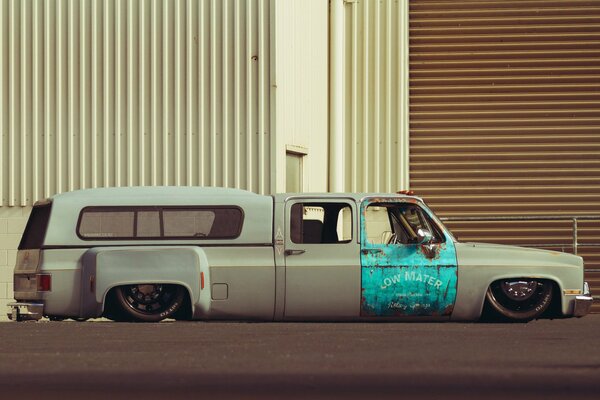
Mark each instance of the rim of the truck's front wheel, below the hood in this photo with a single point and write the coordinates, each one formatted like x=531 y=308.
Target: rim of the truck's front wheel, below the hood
x=520 y=296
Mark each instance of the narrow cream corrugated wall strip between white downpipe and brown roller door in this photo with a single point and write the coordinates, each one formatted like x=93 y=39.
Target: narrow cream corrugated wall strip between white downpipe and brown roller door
x=375 y=96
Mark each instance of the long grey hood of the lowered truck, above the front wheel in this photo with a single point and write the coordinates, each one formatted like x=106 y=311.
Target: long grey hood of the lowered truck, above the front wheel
x=484 y=254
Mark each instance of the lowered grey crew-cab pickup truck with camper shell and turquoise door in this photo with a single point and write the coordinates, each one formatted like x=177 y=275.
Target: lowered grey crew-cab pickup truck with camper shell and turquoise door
x=150 y=253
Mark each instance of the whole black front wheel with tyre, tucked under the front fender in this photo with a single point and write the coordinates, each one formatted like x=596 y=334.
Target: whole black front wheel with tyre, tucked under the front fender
x=520 y=299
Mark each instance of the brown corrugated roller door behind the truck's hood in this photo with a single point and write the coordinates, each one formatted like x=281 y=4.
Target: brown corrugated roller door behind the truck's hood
x=505 y=119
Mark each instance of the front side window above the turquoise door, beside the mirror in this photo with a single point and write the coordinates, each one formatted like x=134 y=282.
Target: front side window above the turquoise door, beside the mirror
x=398 y=223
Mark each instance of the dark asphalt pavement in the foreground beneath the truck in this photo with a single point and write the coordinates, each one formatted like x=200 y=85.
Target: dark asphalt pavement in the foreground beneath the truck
x=546 y=359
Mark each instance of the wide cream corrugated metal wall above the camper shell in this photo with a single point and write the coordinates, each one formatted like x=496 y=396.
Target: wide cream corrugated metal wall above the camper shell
x=113 y=93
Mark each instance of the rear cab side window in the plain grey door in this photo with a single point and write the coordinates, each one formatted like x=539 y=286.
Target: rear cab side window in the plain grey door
x=321 y=223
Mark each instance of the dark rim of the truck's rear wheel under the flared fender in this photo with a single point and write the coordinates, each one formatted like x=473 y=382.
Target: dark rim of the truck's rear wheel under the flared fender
x=149 y=299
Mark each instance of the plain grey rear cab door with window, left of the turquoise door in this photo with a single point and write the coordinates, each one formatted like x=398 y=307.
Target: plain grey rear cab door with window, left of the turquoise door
x=322 y=259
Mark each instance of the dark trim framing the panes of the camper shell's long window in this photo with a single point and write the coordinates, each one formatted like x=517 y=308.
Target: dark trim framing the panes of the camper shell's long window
x=159 y=209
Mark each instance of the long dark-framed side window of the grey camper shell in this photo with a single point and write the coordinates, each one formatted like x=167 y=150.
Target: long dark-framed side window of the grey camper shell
x=166 y=223
